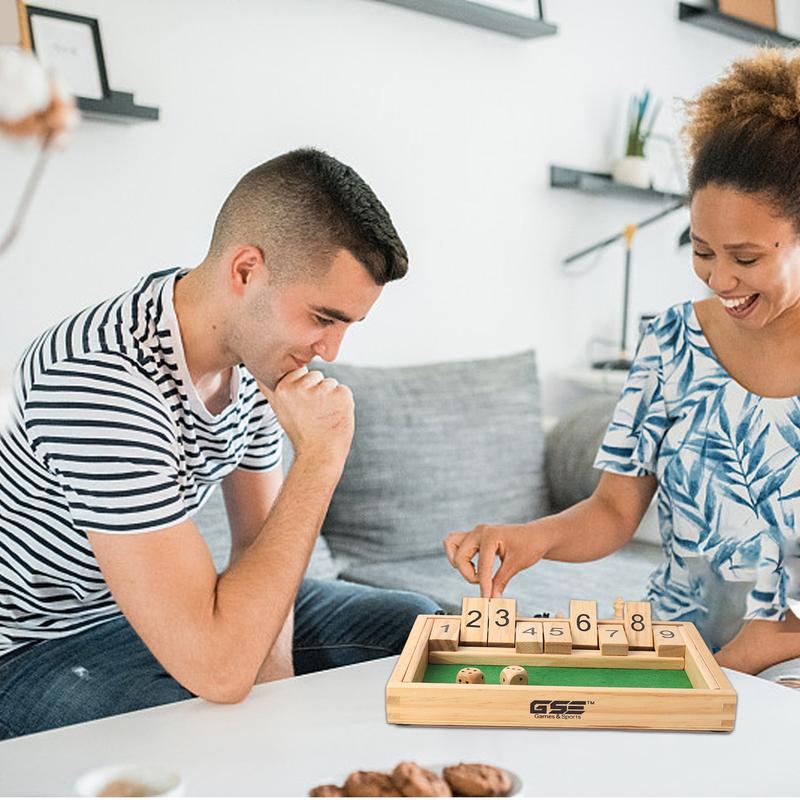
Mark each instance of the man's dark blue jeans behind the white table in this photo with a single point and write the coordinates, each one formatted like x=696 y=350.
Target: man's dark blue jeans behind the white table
x=109 y=670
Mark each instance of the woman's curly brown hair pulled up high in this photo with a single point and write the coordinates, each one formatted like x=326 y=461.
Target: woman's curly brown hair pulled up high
x=744 y=130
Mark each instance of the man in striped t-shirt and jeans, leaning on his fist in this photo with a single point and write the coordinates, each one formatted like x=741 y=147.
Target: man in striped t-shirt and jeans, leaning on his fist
x=126 y=416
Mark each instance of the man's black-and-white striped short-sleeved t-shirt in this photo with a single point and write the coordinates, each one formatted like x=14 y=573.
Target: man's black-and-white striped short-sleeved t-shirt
x=107 y=433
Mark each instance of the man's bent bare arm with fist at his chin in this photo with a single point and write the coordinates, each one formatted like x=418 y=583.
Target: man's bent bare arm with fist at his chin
x=212 y=634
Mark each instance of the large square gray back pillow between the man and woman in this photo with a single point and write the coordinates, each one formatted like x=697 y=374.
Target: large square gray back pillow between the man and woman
x=437 y=448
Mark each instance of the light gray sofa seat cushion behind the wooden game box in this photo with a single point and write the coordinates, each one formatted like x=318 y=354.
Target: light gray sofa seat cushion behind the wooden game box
x=546 y=587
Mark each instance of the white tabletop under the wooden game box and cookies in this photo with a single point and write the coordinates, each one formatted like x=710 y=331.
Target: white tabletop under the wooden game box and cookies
x=291 y=735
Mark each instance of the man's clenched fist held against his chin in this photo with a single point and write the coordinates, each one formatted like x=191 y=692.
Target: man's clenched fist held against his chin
x=317 y=413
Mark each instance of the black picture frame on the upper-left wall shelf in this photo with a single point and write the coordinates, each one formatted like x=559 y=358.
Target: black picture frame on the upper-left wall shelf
x=70 y=45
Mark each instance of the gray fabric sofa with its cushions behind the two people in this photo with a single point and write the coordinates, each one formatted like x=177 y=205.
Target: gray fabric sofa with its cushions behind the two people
x=445 y=447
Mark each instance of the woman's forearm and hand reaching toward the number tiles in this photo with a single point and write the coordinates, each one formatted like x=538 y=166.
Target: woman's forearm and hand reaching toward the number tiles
x=588 y=530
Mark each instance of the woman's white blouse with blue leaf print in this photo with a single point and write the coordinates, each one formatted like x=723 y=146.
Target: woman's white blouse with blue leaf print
x=727 y=464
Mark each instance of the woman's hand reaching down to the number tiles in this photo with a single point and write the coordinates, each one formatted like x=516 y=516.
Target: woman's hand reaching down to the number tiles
x=518 y=547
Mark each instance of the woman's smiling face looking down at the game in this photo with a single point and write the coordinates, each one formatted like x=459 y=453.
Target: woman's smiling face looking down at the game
x=746 y=254
